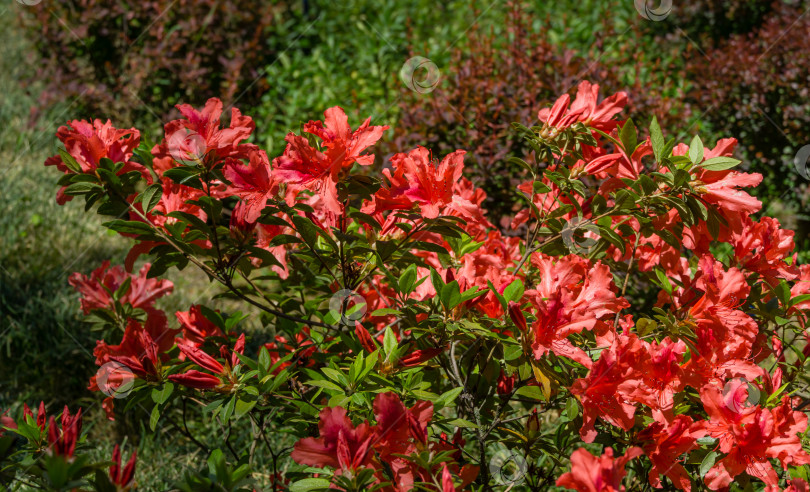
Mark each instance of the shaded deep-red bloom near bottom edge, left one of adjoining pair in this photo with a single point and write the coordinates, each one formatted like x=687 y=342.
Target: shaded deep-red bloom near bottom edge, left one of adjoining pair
x=341 y=445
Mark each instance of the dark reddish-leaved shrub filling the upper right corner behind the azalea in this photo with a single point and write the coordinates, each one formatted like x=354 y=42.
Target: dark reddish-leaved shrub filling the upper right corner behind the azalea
x=754 y=87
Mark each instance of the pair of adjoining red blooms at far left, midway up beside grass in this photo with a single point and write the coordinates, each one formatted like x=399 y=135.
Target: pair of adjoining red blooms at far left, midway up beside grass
x=98 y=289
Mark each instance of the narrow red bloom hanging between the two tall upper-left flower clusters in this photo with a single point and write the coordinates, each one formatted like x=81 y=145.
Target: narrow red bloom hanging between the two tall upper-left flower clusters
x=253 y=183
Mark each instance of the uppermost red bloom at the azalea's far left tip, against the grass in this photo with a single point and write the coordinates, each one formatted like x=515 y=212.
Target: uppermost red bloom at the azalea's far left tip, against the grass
x=88 y=143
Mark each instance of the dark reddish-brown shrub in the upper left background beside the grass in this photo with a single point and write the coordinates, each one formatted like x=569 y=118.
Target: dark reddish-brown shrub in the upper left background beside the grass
x=138 y=58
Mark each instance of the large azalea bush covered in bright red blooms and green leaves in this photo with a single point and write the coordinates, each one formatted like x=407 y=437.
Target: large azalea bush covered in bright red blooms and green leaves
x=636 y=327
